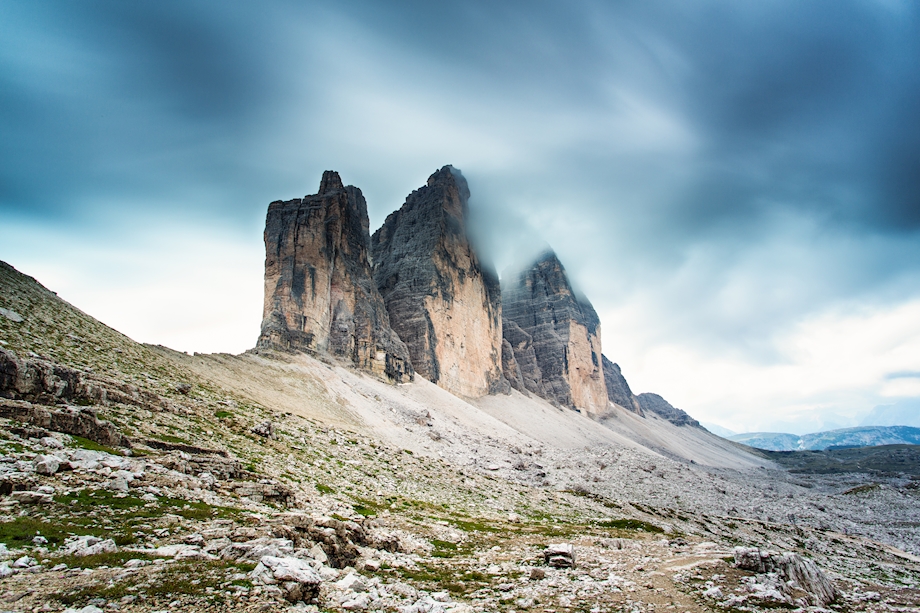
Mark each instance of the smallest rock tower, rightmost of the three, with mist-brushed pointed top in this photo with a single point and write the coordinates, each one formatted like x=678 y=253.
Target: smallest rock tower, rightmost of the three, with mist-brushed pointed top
x=564 y=333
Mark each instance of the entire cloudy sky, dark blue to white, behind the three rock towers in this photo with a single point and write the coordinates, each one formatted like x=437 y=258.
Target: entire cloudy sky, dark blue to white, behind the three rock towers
x=734 y=185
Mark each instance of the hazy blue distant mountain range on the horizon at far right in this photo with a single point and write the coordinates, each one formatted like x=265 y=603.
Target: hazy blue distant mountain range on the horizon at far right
x=865 y=436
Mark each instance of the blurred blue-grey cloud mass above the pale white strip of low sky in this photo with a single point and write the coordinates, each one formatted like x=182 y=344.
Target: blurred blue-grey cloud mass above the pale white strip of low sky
x=746 y=162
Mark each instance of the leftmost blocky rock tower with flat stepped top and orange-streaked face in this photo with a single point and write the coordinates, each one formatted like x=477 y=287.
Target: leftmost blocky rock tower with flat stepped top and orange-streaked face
x=320 y=295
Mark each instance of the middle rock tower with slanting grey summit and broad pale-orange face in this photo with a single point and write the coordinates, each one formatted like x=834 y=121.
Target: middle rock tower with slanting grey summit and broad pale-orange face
x=442 y=301
